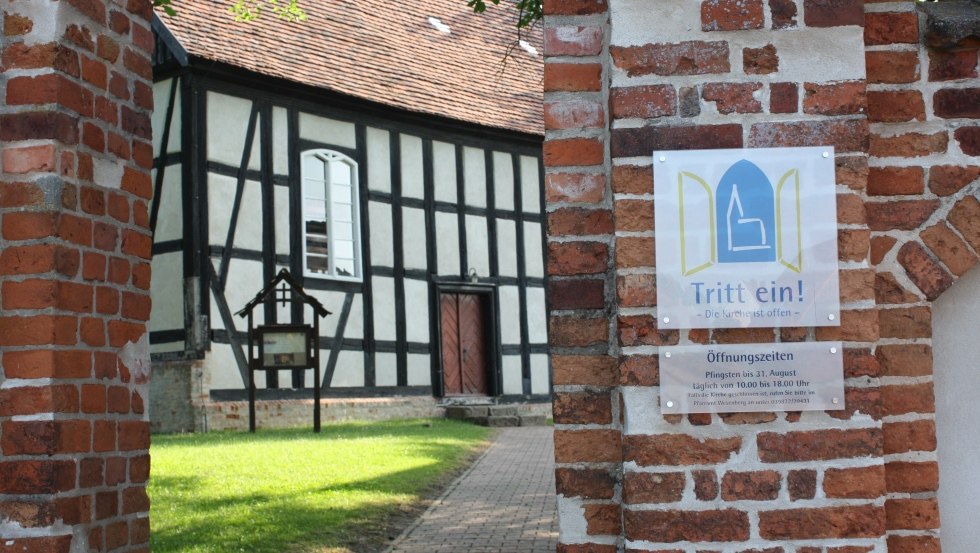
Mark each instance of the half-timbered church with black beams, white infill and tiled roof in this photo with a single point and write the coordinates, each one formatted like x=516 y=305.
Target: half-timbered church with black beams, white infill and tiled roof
x=390 y=159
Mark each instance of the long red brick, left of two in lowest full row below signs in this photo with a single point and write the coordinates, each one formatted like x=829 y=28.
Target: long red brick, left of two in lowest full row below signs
x=696 y=526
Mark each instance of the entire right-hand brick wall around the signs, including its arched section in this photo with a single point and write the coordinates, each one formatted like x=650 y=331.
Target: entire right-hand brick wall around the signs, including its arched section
x=623 y=78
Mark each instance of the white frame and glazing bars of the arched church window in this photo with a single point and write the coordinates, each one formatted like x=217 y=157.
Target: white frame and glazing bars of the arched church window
x=328 y=158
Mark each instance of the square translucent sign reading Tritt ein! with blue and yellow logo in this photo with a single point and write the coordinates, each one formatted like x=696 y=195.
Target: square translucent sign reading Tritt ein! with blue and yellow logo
x=746 y=238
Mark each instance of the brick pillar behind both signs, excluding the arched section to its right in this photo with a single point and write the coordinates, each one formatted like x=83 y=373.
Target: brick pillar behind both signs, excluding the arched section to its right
x=624 y=78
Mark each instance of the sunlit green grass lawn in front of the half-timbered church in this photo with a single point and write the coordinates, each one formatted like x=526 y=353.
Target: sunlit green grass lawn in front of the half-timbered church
x=282 y=491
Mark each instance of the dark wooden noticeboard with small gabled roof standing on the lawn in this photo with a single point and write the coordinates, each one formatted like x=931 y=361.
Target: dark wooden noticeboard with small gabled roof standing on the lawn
x=283 y=346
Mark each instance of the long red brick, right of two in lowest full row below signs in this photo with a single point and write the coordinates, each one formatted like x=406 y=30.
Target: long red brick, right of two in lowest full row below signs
x=857 y=521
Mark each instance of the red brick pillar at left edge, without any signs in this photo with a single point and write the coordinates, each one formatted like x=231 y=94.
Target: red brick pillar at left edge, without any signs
x=74 y=275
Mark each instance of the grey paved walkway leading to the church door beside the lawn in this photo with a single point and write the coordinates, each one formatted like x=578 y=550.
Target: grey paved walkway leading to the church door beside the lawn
x=505 y=502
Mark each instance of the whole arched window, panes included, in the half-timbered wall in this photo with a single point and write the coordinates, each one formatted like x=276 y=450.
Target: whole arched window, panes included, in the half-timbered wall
x=331 y=222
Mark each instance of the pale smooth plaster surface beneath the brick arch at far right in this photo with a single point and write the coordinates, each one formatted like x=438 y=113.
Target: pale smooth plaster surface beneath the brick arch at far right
x=957 y=411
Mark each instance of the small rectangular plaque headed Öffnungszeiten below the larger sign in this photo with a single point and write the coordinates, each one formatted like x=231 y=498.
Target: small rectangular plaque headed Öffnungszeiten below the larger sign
x=752 y=377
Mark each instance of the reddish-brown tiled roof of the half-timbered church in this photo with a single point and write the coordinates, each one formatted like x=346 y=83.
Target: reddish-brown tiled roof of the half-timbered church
x=386 y=52
